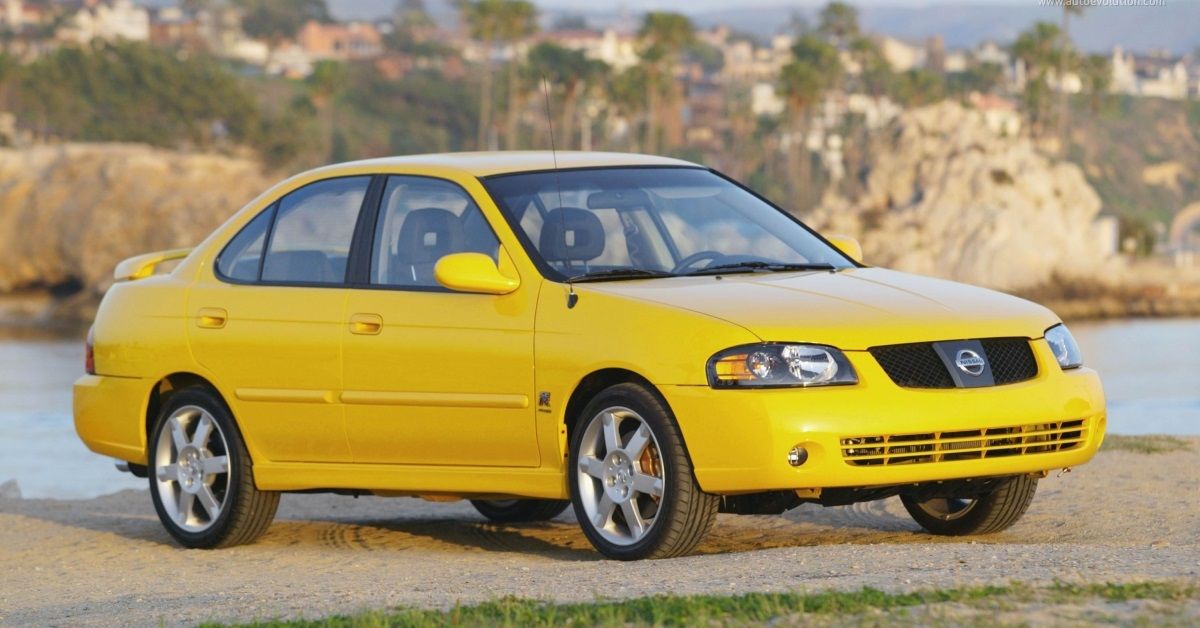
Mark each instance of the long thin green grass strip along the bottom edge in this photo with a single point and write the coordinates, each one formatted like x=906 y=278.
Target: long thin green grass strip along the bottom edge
x=746 y=609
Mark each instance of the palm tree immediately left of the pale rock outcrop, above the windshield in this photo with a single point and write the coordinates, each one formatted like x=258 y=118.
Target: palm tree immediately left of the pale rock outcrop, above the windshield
x=813 y=70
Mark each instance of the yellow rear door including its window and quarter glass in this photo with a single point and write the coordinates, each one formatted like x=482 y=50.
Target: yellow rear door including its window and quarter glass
x=268 y=321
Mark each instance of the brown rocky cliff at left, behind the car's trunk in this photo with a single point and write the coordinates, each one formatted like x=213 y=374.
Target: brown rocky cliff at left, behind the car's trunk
x=70 y=213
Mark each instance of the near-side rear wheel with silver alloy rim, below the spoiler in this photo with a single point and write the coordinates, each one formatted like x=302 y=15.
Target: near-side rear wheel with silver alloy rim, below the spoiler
x=202 y=481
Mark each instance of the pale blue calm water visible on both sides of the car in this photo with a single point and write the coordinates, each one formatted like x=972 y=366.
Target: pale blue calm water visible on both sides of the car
x=1151 y=372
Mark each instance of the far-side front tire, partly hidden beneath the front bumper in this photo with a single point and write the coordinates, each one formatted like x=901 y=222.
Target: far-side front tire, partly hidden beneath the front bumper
x=986 y=515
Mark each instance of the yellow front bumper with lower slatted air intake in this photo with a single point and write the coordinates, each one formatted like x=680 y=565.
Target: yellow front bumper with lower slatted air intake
x=739 y=440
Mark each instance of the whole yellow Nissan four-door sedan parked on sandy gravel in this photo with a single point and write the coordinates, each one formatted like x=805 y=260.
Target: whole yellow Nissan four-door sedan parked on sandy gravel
x=639 y=338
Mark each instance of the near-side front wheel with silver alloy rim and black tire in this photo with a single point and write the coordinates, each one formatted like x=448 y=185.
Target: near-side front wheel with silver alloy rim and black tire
x=628 y=463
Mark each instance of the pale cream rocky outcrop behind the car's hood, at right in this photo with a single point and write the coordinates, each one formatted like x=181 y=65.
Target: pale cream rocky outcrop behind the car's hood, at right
x=955 y=195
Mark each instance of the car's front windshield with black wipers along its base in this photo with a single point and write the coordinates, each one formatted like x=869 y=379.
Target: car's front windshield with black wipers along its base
x=609 y=224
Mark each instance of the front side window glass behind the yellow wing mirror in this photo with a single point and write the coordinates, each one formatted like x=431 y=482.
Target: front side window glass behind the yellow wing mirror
x=421 y=222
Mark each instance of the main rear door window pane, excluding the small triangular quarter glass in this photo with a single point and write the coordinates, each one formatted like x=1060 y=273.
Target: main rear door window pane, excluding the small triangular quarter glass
x=314 y=228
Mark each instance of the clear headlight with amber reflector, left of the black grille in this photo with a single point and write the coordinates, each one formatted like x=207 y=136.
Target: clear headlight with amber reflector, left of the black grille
x=773 y=364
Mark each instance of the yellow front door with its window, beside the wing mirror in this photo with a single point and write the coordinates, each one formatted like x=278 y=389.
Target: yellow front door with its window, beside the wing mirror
x=433 y=376
